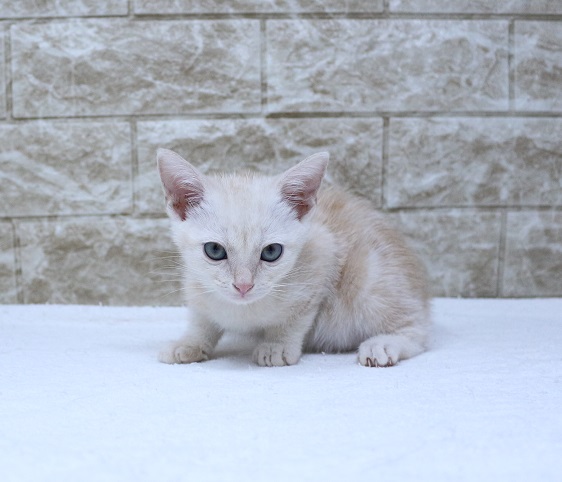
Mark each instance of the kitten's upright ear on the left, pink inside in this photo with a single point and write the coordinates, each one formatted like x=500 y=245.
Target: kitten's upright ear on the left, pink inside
x=183 y=184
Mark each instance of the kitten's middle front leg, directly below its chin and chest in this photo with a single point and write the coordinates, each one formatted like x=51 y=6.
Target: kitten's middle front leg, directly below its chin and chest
x=283 y=344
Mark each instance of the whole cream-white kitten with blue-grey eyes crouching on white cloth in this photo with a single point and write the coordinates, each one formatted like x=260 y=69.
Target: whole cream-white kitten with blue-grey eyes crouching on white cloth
x=303 y=267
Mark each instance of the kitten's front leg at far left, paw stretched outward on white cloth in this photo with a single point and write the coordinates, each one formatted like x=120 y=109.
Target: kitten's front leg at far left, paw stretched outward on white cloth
x=196 y=345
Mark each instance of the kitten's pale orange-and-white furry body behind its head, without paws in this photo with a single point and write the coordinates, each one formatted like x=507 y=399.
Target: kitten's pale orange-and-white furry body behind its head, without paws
x=379 y=286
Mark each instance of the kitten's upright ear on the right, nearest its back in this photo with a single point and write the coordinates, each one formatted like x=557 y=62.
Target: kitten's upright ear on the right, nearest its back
x=300 y=184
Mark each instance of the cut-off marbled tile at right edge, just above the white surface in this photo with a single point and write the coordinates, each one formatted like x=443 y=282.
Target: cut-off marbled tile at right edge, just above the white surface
x=533 y=259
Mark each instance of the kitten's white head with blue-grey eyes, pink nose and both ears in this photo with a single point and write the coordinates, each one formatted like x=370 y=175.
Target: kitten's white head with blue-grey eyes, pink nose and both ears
x=239 y=235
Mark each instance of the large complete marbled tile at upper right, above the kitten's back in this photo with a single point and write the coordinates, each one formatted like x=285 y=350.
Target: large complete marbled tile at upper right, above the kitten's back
x=388 y=65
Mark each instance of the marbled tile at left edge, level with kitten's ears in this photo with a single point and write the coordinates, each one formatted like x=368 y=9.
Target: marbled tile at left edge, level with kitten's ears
x=52 y=167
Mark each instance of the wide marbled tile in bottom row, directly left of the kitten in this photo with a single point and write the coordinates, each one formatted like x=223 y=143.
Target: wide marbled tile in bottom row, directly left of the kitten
x=113 y=261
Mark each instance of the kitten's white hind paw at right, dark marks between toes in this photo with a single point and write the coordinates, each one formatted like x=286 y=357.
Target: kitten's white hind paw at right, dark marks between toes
x=386 y=350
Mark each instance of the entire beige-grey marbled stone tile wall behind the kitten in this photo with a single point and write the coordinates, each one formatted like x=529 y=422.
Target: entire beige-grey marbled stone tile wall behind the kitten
x=447 y=114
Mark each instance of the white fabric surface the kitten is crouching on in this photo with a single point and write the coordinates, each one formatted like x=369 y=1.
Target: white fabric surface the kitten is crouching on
x=82 y=397
